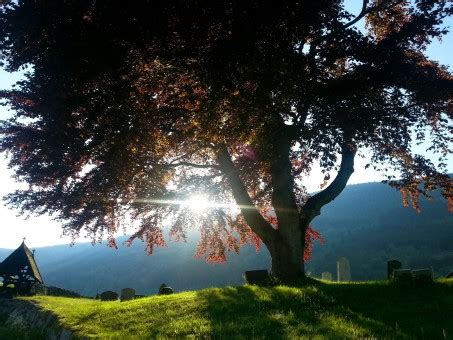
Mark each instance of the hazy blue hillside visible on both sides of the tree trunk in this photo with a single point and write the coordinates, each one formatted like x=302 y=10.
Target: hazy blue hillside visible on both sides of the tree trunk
x=366 y=223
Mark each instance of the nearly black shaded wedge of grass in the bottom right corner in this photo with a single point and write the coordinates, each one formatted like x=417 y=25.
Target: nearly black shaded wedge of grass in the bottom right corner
x=424 y=312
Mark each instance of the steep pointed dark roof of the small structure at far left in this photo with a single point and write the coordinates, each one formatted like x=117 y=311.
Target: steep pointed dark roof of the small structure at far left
x=19 y=259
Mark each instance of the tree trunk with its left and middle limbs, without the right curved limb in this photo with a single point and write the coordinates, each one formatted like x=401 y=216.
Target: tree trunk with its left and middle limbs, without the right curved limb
x=286 y=243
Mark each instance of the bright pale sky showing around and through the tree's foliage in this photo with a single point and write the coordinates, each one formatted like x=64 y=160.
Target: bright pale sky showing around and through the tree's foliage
x=43 y=231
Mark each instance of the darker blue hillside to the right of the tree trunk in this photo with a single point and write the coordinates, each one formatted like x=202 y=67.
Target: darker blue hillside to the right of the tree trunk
x=368 y=224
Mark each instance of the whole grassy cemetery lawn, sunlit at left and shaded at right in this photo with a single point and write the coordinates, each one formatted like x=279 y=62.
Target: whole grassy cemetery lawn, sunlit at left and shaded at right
x=331 y=310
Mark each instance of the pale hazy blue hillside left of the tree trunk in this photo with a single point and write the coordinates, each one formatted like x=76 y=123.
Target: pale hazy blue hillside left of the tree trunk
x=91 y=269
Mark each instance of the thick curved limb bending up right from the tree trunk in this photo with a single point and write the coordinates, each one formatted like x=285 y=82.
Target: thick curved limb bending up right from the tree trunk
x=314 y=204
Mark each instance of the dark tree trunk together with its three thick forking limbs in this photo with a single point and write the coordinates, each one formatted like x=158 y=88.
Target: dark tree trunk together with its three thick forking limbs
x=286 y=243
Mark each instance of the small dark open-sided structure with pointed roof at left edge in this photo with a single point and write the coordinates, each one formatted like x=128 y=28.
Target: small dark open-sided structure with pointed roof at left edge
x=20 y=270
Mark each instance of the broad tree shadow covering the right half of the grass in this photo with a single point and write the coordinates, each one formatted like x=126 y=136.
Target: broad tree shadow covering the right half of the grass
x=333 y=311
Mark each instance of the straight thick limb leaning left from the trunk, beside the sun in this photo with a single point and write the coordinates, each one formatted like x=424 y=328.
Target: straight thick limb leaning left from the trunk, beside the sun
x=251 y=214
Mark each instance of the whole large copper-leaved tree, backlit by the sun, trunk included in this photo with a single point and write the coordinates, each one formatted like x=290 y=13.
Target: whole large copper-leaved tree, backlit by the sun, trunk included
x=128 y=108
